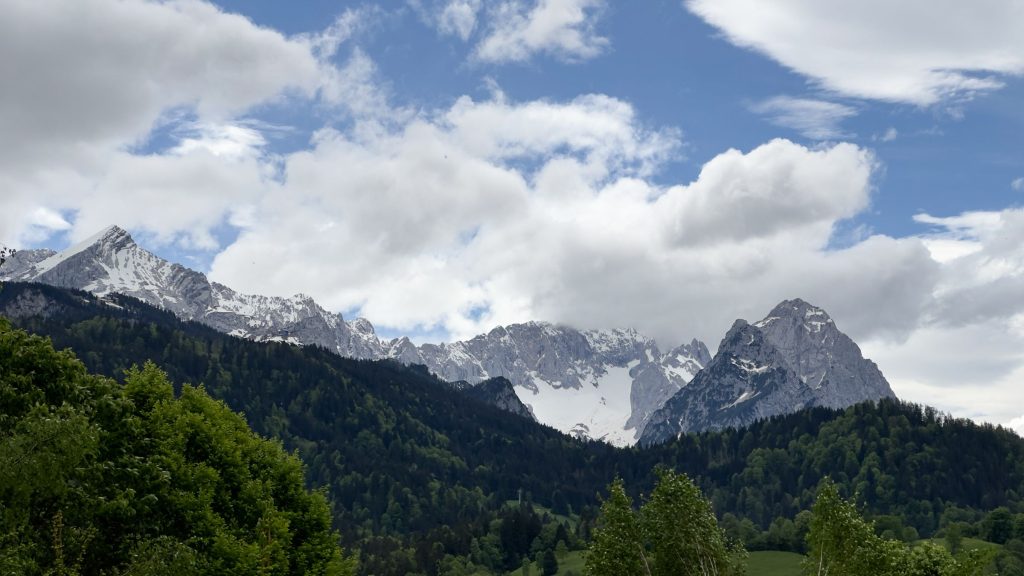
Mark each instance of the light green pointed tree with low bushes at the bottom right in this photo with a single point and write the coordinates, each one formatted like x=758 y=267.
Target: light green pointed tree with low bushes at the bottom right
x=842 y=544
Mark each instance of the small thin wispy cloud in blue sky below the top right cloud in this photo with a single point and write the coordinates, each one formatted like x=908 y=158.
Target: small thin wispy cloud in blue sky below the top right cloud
x=820 y=120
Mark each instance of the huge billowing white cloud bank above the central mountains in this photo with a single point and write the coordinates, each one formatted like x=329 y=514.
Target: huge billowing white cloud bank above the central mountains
x=492 y=213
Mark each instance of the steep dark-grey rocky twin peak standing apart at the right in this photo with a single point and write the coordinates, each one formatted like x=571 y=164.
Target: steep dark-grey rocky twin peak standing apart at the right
x=794 y=359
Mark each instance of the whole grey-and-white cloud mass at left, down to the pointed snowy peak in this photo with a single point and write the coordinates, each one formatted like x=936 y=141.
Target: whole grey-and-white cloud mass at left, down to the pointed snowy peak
x=91 y=81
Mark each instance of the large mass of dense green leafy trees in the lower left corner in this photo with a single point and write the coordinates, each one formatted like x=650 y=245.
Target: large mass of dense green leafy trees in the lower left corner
x=104 y=479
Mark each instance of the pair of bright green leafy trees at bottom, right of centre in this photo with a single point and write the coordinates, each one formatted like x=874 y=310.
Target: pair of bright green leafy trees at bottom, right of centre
x=675 y=534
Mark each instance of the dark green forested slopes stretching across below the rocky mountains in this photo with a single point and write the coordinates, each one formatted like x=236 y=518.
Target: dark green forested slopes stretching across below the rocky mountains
x=422 y=480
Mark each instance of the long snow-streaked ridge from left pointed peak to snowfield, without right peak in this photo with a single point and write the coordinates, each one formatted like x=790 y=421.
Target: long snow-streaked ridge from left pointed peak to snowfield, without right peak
x=602 y=385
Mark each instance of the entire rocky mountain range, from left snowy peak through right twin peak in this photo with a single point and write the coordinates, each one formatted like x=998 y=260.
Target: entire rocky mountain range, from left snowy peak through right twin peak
x=617 y=386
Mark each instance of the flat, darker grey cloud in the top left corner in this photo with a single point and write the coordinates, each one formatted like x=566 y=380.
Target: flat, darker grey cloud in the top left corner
x=83 y=81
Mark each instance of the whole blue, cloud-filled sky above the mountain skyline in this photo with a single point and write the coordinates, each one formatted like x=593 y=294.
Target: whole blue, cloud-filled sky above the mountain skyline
x=442 y=168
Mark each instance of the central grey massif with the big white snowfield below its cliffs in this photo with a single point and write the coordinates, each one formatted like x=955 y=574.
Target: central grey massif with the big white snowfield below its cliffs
x=601 y=385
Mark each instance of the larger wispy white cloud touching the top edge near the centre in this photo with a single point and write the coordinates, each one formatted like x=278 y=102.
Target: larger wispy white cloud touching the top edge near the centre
x=565 y=29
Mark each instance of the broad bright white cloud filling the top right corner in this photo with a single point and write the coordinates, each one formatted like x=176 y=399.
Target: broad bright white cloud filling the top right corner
x=918 y=52
